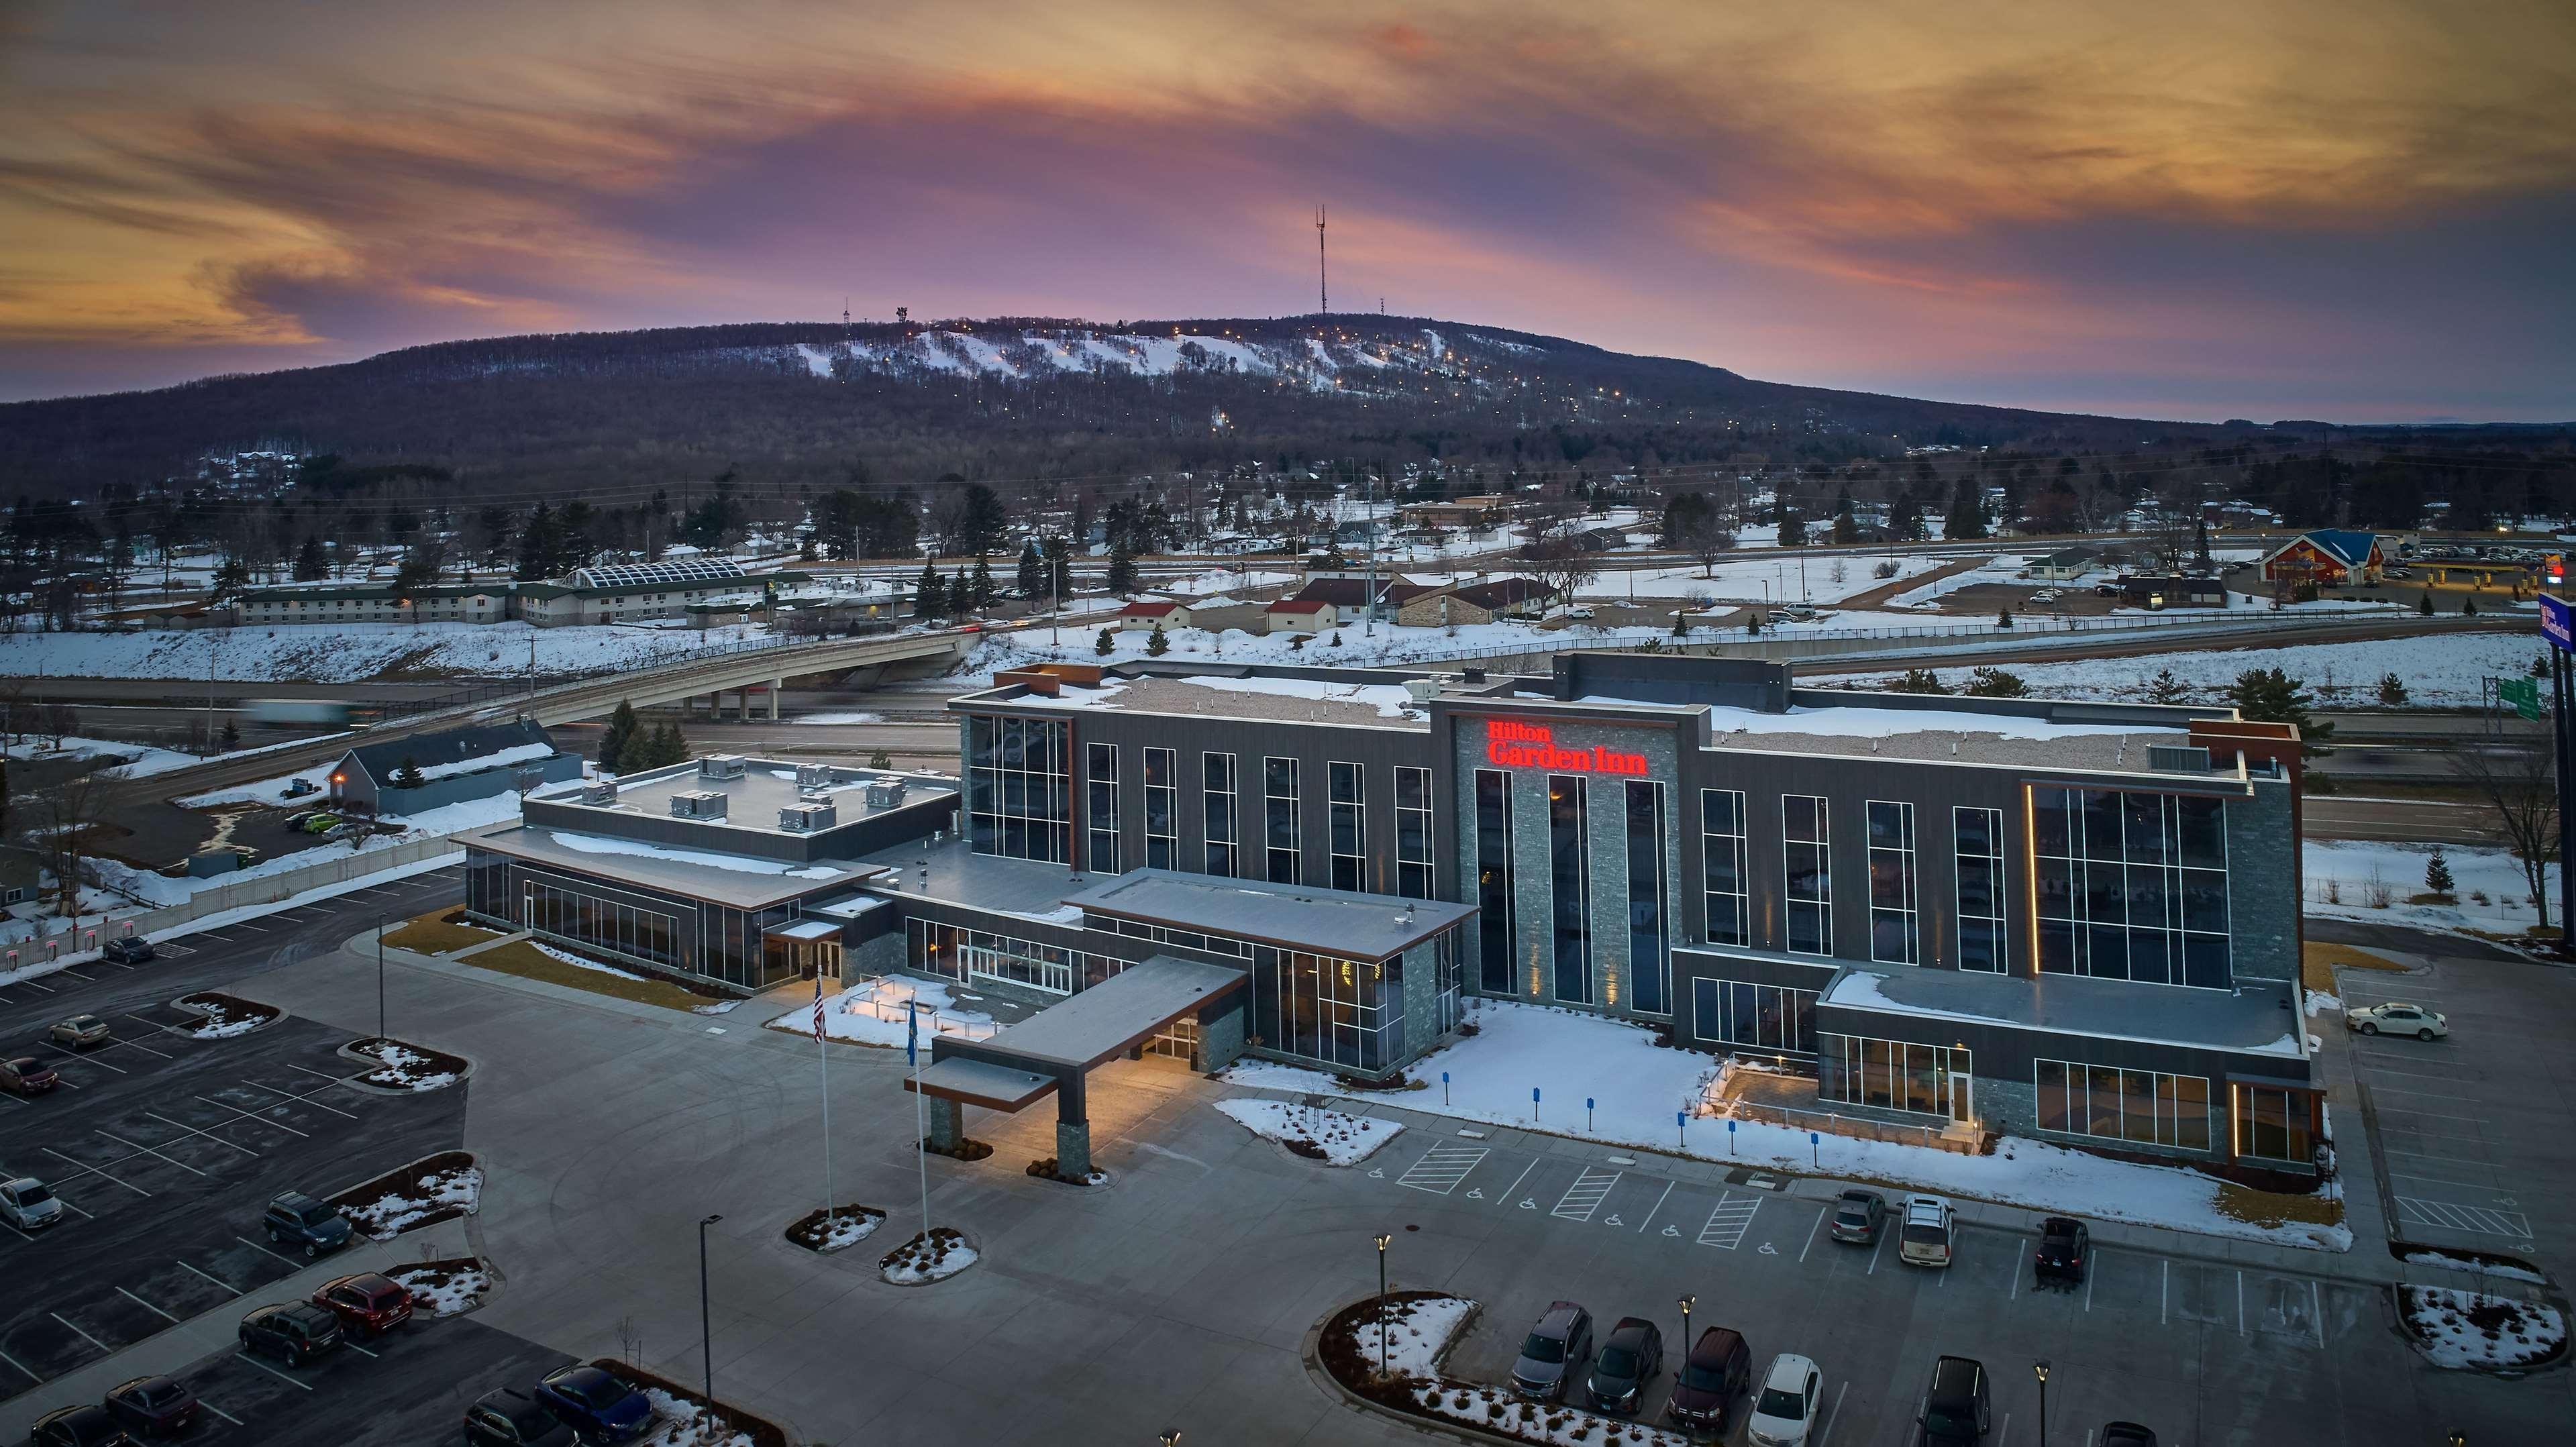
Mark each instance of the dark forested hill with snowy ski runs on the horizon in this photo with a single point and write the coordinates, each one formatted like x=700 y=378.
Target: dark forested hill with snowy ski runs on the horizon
x=784 y=406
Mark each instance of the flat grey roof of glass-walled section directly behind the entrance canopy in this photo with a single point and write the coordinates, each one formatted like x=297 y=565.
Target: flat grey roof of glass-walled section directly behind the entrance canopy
x=1300 y=918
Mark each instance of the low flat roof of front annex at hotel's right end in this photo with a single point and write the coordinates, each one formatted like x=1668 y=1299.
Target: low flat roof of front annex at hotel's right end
x=2258 y=1018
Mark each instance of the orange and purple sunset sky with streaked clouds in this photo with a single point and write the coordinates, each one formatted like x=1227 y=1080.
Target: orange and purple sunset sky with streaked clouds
x=2356 y=210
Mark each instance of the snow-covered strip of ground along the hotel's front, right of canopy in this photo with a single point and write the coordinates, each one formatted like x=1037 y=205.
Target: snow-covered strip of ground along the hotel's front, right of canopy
x=1637 y=1090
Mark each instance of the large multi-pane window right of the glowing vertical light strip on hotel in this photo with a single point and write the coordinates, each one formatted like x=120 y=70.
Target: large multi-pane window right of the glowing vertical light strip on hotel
x=2132 y=884
